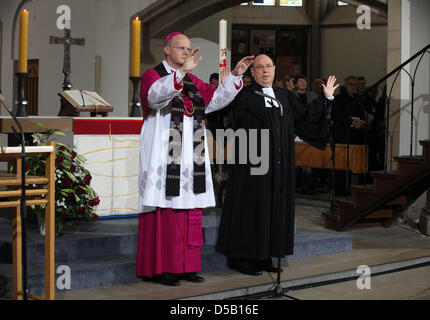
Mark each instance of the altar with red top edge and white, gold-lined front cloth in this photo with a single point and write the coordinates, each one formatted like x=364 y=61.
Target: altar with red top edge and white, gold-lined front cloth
x=111 y=147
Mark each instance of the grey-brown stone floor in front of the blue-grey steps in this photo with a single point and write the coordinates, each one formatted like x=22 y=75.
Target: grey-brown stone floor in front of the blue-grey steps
x=371 y=247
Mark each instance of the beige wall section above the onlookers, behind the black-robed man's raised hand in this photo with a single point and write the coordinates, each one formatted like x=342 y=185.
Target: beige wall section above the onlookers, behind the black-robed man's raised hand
x=346 y=50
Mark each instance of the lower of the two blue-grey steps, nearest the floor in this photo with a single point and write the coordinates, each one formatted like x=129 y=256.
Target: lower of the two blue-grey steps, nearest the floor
x=114 y=270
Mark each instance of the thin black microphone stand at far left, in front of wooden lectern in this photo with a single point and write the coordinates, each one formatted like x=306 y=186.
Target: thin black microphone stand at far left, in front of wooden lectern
x=23 y=205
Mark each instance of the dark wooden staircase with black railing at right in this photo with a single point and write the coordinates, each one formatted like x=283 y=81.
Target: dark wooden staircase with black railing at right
x=389 y=195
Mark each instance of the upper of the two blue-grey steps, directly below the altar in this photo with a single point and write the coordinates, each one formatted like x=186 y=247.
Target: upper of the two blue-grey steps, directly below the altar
x=97 y=240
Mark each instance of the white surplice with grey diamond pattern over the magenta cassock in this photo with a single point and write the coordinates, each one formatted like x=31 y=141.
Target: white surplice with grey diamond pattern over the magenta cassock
x=154 y=140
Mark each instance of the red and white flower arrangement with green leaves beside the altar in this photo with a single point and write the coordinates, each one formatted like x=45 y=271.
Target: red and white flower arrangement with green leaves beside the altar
x=75 y=200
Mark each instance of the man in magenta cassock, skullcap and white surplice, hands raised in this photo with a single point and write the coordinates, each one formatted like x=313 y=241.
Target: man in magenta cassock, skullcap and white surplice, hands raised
x=175 y=180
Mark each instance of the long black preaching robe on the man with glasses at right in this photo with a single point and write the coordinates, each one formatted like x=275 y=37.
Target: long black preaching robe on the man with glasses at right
x=258 y=214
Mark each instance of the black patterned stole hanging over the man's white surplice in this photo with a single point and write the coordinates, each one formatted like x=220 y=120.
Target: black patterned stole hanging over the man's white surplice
x=174 y=155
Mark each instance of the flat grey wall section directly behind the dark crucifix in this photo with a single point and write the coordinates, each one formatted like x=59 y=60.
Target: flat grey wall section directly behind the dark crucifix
x=83 y=25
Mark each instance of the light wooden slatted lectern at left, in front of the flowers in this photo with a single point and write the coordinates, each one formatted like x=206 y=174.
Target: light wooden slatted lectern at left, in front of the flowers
x=11 y=199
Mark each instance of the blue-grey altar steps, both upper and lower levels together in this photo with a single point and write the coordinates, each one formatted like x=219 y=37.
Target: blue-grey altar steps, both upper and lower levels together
x=106 y=254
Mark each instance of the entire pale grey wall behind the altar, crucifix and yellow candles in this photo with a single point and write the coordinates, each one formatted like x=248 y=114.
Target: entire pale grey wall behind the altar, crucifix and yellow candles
x=105 y=26
